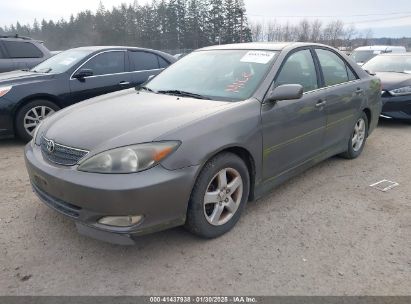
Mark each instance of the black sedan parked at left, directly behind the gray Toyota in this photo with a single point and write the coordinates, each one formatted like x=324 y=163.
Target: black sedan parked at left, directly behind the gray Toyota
x=27 y=97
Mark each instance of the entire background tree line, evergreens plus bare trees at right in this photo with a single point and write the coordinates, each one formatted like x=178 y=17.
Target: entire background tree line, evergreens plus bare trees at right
x=174 y=25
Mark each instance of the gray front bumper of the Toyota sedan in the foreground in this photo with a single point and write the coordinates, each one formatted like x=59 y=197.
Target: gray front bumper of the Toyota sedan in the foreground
x=160 y=195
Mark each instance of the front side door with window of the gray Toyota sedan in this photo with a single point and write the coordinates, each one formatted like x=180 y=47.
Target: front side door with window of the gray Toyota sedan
x=293 y=130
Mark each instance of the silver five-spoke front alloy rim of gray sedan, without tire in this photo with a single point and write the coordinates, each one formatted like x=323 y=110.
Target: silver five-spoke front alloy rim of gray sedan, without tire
x=223 y=196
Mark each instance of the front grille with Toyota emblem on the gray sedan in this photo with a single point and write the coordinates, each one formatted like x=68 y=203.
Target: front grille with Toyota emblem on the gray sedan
x=60 y=154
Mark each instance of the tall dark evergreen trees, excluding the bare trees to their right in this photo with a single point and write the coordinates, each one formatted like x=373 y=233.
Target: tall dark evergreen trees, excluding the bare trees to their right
x=164 y=24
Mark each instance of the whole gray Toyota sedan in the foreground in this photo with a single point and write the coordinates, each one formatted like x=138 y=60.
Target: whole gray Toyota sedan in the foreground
x=219 y=128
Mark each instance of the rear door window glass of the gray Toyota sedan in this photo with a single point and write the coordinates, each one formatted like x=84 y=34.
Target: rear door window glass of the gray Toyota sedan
x=334 y=69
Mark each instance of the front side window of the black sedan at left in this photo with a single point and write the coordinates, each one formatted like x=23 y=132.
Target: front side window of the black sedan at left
x=106 y=63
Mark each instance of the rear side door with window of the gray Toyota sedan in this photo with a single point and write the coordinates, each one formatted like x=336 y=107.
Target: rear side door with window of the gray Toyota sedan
x=344 y=94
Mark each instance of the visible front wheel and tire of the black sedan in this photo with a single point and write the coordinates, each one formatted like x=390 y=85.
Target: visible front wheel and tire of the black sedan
x=30 y=115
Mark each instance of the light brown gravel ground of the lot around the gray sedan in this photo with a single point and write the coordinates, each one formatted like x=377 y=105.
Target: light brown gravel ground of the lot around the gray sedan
x=325 y=232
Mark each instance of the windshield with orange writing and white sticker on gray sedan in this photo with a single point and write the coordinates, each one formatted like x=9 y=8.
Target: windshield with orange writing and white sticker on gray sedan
x=217 y=74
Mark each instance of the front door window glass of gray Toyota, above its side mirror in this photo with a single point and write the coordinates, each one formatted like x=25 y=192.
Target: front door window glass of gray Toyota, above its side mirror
x=299 y=68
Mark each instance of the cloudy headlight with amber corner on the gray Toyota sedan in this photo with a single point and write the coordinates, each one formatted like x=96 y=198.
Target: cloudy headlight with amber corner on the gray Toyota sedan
x=129 y=159
